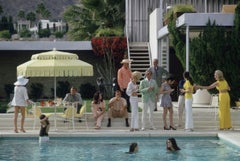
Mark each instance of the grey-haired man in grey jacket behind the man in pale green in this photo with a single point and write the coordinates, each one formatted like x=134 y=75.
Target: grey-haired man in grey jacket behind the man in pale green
x=157 y=74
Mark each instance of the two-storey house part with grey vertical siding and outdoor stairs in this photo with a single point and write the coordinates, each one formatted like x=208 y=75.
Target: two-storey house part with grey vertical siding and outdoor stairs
x=148 y=37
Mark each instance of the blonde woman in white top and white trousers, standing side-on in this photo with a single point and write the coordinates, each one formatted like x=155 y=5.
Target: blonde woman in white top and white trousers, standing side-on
x=132 y=92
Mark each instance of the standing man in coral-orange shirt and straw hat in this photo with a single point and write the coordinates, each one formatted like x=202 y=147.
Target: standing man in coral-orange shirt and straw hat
x=124 y=76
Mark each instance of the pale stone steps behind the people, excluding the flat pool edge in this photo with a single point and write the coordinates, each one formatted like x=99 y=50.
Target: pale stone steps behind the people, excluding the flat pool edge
x=202 y=120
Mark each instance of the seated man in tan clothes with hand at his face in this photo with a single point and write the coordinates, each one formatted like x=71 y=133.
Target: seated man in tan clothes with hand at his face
x=117 y=108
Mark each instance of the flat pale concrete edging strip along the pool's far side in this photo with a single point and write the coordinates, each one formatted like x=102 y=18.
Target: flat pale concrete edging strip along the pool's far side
x=232 y=137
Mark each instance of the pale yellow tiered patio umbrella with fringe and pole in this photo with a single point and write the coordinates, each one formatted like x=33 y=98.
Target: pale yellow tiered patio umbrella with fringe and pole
x=55 y=64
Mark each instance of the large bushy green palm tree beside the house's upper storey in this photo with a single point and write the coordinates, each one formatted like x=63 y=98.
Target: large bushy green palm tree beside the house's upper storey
x=87 y=18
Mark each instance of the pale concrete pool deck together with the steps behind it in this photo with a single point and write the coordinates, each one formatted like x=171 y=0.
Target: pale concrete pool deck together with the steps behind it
x=205 y=125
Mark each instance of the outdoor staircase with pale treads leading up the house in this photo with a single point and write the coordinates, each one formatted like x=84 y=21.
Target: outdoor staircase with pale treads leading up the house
x=139 y=53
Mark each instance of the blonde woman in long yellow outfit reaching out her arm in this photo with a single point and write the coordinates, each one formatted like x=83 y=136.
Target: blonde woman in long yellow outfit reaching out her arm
x=224 y=100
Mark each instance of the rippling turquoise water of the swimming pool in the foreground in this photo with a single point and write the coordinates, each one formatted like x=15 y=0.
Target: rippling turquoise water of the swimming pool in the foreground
x=114 y=148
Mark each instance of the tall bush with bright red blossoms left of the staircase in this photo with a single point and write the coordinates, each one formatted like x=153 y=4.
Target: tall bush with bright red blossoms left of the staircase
x=111 y=50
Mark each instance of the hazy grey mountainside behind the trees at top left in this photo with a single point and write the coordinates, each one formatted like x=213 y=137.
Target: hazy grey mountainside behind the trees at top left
x=56 y=7
